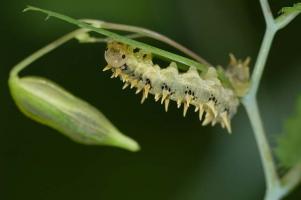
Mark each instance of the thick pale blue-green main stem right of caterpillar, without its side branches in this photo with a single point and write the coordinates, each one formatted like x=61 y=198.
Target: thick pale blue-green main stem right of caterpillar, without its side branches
x=250 y=103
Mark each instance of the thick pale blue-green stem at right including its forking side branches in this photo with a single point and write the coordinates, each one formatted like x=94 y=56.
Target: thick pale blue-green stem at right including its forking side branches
x=276 y=188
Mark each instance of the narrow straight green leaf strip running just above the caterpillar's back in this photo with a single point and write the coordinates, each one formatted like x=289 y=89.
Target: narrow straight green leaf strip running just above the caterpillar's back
x=156 y=51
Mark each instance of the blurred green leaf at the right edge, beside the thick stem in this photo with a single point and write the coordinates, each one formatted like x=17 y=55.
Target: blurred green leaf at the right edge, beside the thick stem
x=288 y=149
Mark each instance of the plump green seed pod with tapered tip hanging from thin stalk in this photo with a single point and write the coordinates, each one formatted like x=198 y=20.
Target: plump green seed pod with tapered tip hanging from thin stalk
x=49 y=104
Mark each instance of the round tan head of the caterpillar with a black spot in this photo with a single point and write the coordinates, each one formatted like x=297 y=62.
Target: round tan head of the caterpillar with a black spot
x=116 y=54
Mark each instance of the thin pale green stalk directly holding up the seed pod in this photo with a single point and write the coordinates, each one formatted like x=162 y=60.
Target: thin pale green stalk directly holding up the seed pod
x=43 y=51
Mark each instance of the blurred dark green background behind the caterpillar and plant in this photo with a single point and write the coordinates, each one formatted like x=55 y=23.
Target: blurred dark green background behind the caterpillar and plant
x=180 y=159
